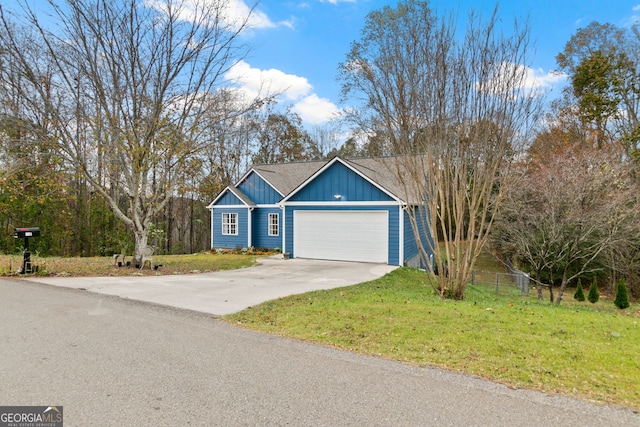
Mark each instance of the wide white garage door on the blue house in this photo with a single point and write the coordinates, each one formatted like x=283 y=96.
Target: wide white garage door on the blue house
x=341 y=235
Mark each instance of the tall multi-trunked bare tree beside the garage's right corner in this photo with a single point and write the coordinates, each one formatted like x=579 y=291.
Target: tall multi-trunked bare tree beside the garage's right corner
x=453 y=109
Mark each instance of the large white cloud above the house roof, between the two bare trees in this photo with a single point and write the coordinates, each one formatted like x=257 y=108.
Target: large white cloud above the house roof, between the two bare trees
x=253 y=82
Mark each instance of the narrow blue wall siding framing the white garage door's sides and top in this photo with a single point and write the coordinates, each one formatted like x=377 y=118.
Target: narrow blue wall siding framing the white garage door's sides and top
x=394 y=226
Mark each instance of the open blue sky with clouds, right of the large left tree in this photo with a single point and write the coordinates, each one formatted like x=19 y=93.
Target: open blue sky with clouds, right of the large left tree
x=298 y=44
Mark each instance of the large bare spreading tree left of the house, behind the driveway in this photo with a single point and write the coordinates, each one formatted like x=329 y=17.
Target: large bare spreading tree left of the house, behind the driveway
x=126 y=85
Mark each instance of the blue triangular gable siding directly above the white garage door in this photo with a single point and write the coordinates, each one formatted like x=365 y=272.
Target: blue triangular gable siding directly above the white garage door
x=340 y=180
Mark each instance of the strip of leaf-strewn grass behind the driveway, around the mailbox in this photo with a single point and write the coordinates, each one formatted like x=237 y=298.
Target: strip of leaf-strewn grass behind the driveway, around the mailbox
x=104 y=266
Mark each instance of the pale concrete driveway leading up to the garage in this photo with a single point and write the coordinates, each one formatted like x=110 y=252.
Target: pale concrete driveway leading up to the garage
x=226 y=292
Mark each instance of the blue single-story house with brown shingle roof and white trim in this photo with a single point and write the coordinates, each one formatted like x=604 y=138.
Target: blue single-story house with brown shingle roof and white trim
x=346 y=210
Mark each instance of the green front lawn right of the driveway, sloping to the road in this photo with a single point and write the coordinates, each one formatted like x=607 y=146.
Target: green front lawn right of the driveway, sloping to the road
x=583 y=350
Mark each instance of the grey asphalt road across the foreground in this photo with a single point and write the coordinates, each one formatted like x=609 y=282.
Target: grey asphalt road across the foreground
x=115 y=362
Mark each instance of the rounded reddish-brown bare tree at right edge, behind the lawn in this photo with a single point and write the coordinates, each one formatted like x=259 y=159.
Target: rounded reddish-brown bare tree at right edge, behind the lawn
x=570 y=213
